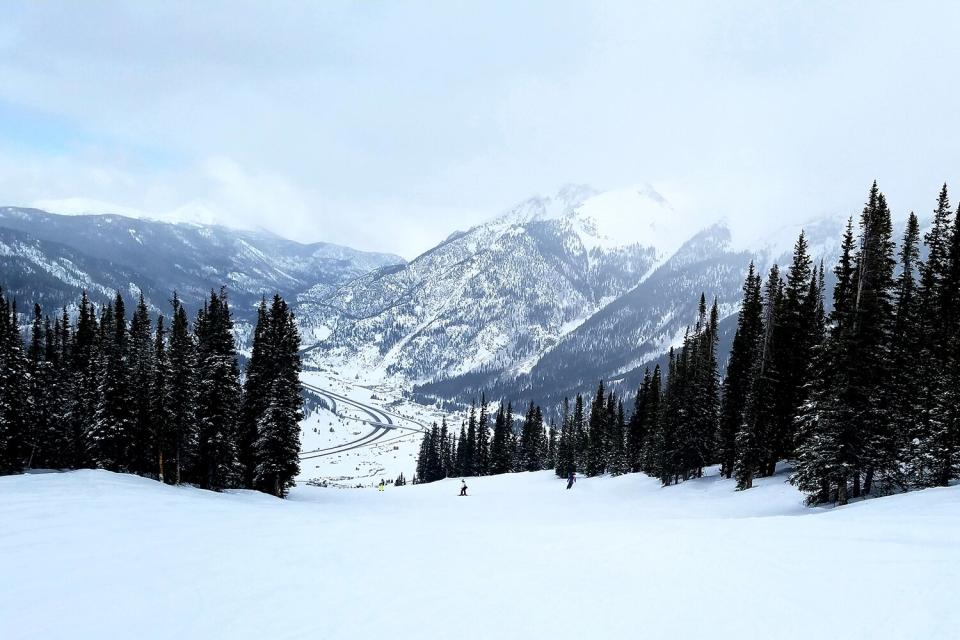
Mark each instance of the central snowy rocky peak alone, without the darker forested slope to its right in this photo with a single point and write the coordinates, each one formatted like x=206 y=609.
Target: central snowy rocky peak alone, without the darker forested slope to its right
x=495 y=298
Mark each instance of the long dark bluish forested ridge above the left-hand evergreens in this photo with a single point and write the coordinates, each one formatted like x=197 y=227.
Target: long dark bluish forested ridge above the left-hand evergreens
x=50 y=258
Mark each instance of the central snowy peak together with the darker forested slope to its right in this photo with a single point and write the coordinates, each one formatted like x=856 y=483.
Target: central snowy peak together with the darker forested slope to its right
x=544 y=299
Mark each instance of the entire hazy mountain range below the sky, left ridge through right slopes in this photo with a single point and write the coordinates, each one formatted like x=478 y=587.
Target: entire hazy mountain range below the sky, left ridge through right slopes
x=542 y=300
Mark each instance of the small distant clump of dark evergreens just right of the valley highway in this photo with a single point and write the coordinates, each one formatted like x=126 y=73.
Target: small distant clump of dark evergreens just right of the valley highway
x=479 y=450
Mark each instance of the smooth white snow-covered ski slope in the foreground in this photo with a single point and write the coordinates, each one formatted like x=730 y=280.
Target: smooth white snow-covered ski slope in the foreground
x=91 y=554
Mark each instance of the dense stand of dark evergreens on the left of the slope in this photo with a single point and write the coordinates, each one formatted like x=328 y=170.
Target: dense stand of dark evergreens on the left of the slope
x=163 y=401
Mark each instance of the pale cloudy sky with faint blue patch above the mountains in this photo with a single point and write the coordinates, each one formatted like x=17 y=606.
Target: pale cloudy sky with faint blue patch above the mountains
x=388 y=125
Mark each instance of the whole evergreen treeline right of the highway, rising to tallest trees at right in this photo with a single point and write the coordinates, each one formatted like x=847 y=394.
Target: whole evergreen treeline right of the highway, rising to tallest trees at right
x=863 y=400
